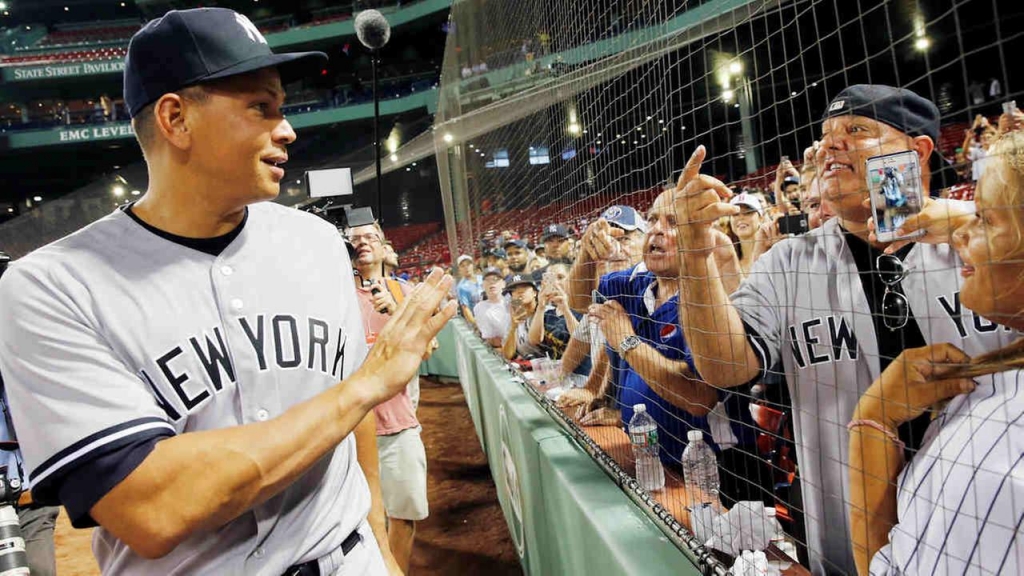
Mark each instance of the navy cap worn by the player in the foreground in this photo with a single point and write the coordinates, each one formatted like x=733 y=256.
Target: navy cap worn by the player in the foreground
x=188 y=48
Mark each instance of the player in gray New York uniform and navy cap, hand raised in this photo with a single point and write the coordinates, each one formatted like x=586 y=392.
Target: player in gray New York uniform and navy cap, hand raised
x=186 y=373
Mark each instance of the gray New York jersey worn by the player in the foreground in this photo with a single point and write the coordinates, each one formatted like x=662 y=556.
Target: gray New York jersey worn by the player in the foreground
x=113 y=333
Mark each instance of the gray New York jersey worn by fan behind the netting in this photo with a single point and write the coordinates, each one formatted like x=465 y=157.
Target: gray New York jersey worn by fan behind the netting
x=806 y=303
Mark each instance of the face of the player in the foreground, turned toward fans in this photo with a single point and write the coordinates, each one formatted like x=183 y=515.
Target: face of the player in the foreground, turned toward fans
x=240 y=137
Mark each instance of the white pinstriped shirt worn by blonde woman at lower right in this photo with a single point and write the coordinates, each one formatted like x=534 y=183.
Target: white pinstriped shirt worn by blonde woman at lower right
x=961 y=502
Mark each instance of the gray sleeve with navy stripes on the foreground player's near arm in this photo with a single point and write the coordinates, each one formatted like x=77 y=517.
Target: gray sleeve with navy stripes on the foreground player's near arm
x=81 y=399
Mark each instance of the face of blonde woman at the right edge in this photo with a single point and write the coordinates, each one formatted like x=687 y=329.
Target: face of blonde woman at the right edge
x=991 y=248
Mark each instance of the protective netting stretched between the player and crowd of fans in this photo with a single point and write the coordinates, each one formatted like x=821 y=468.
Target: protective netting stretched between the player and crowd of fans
x=559 y=118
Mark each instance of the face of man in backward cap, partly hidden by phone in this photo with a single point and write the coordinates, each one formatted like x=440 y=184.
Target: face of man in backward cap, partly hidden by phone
x=847 y=143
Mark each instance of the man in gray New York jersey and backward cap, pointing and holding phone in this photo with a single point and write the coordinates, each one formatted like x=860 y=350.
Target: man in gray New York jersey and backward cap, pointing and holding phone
x=817 y=302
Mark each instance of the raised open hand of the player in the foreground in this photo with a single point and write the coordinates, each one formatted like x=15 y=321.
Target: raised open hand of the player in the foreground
x=404 y=341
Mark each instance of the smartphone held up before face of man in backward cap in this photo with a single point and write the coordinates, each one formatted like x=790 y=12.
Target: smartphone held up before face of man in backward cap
x=895 y=188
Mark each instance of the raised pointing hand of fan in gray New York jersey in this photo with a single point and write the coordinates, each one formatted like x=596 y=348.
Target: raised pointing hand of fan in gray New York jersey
x=700 y=201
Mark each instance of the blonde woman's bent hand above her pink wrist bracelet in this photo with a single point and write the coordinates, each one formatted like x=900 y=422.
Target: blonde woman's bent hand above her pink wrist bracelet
x=911 y=386
